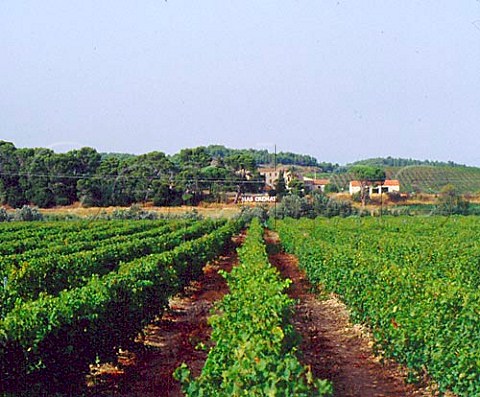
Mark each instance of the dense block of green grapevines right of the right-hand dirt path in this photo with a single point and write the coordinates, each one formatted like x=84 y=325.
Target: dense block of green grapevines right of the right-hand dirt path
x=413 y=281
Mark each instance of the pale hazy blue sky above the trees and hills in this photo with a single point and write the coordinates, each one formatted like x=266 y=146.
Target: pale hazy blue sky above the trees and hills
x=339 y=80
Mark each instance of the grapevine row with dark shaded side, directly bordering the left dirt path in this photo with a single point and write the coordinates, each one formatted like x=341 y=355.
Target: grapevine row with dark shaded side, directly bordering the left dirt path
x=57 y=335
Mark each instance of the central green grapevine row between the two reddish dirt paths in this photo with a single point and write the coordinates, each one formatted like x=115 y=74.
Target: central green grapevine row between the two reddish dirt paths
x=255 y=344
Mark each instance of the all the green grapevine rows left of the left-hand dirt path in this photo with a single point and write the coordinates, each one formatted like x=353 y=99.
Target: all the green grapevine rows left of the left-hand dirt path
x=74 y=293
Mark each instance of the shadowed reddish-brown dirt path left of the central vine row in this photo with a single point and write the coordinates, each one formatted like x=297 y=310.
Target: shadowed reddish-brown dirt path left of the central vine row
x=169 y=341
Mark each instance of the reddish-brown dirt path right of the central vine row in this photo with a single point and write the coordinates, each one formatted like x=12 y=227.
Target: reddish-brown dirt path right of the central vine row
x=333 y=347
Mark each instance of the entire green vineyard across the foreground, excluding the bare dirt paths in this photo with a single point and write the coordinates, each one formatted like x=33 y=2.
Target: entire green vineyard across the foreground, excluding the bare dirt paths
x=74 y=293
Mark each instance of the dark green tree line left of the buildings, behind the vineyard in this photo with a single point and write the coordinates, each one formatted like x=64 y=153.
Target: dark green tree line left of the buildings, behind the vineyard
x=41 y=177
